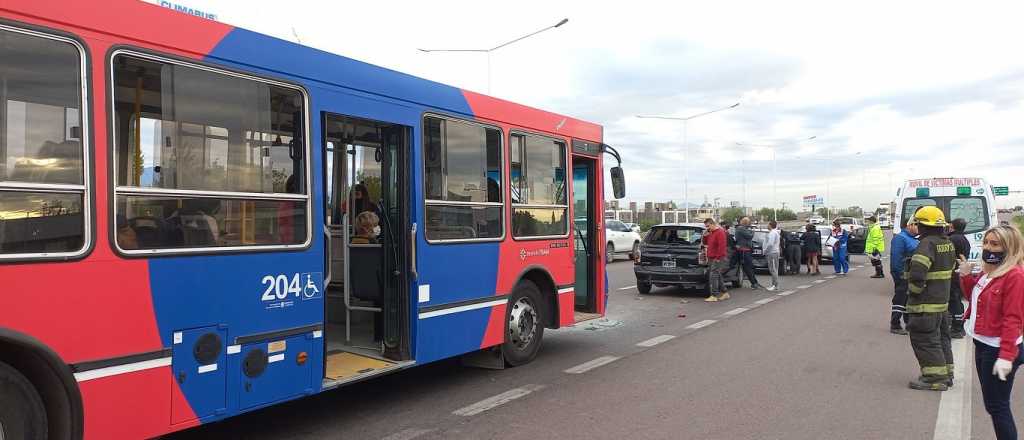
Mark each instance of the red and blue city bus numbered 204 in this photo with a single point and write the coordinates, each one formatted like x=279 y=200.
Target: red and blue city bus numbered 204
x=199 y=222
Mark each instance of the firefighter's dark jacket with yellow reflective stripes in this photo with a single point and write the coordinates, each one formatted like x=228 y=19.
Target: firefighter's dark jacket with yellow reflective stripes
x=929 y=275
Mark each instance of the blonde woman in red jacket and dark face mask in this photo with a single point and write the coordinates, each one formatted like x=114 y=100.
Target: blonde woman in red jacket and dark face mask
x=995 y=321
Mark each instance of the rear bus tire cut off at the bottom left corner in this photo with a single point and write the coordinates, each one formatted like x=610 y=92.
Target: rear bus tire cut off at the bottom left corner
x=22 y=413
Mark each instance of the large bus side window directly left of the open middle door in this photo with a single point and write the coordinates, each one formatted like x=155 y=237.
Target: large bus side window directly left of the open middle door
x=204 y=159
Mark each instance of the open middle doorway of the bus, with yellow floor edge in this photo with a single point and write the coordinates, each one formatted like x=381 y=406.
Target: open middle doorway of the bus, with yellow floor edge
x=367 y=305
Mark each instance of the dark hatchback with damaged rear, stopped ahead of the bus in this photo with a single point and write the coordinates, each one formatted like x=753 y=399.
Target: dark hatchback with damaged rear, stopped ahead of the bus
x=672 y=255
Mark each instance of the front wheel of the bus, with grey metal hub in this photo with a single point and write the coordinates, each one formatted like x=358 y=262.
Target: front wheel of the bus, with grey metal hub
x=525 y=324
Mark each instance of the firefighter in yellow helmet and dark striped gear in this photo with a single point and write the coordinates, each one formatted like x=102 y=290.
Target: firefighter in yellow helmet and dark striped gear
x=929 y=274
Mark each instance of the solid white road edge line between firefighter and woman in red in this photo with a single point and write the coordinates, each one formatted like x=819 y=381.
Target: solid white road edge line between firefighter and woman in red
x=954 y=419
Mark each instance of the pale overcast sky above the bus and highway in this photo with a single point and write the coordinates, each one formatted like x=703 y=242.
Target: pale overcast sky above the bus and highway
x=891 y=91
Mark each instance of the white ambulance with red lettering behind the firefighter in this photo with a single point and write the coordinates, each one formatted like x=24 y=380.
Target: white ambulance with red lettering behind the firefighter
x=967 y=198
